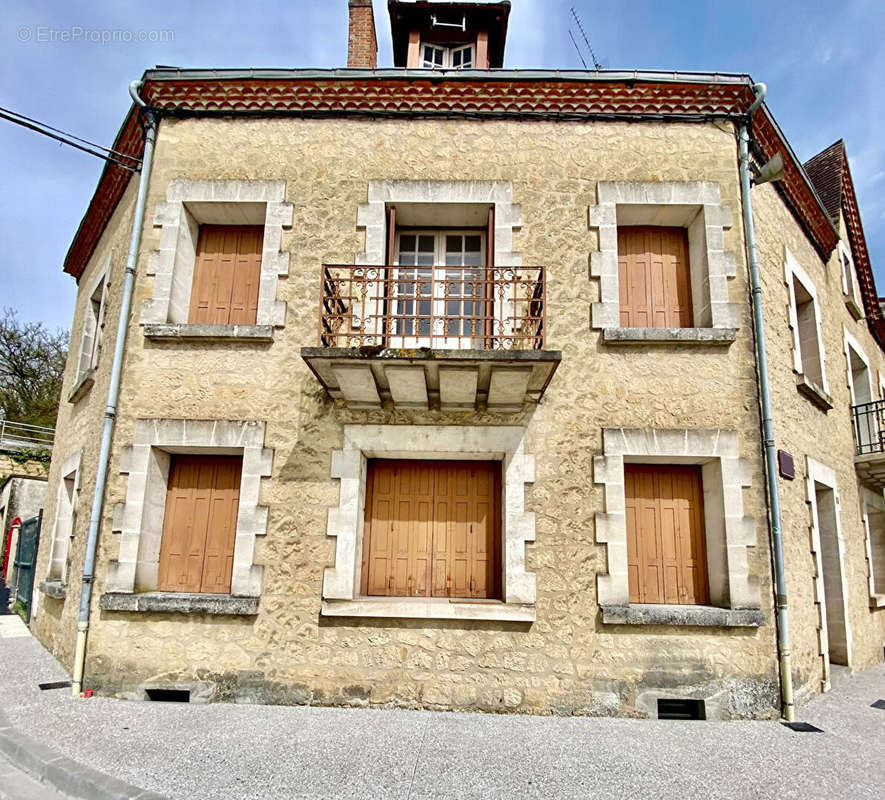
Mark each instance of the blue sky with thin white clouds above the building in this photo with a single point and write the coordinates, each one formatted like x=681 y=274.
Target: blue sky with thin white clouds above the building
x=69 y=64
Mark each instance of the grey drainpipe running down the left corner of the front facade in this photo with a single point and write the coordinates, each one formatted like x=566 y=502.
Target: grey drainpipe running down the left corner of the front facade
x=110 y=413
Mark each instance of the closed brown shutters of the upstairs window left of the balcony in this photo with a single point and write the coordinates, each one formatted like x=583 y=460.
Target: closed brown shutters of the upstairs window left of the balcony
x=227 y=271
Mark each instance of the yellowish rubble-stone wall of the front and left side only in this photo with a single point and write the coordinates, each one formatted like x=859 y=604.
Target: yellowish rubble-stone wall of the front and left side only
x=567 y=661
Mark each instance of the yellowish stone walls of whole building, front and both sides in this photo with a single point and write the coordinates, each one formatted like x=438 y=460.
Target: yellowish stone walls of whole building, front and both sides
x=564 y=656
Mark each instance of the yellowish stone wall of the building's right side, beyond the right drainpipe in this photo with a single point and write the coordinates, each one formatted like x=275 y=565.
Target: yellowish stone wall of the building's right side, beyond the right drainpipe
x=826 y=437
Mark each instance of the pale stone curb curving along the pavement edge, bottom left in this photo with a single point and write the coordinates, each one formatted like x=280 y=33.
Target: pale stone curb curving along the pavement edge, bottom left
x=62 y=773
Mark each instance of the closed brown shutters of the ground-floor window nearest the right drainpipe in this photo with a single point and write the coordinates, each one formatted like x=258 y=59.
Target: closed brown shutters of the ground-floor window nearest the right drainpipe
x=666 y=546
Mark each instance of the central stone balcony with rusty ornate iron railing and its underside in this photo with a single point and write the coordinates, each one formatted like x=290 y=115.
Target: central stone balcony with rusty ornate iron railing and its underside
x=438 y=337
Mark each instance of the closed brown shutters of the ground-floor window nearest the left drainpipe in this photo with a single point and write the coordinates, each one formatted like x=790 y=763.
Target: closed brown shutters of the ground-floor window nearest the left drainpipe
x=200 y=523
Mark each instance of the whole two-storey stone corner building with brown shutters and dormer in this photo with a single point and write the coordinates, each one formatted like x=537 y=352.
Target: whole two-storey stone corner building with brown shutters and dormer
x=440 y=390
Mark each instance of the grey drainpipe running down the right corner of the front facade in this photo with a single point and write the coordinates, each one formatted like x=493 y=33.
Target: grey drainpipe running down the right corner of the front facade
x=783 y=618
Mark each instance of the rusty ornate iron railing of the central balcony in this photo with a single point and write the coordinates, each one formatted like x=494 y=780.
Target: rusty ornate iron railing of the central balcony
x=448 y=308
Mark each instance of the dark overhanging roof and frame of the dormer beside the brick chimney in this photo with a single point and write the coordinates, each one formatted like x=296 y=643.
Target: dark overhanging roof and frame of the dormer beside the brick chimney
x=407 y=16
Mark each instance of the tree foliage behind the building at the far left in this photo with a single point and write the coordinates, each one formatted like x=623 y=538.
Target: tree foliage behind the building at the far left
x=32 y=362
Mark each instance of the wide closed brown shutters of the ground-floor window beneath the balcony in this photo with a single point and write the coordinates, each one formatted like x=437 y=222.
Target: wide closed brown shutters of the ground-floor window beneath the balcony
x=432 y=529
